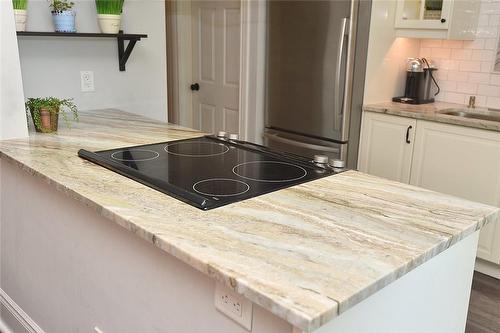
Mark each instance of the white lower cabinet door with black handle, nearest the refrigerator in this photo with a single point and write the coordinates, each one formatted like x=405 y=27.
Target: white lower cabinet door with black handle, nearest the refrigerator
x=384 y=142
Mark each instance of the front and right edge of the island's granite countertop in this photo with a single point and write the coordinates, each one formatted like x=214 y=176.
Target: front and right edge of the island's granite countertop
x=296 y=318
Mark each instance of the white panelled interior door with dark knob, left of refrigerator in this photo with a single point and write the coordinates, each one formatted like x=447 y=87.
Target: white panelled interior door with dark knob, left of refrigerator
x=216 y=65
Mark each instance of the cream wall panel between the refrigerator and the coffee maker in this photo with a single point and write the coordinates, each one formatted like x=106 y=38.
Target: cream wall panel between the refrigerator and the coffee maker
x=385 y=69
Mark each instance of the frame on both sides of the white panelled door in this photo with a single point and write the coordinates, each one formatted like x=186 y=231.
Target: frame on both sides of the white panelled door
x=252 y=64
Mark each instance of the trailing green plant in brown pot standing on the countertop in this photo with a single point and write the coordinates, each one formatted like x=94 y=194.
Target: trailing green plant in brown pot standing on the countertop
x=45 y=112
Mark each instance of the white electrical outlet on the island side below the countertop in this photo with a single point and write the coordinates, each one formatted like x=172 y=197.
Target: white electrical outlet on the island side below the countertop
x=234 y=306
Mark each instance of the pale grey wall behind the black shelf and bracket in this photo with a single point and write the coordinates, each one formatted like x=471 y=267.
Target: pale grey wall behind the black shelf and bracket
x=51 y=66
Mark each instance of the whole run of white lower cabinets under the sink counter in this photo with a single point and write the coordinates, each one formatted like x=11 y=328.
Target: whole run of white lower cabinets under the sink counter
x=451 y=159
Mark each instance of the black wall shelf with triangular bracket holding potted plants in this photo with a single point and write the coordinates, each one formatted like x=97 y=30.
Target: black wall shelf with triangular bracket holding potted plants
x=123 y=52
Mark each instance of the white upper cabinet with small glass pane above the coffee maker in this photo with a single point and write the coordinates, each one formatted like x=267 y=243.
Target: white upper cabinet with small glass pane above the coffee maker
x=443 y=19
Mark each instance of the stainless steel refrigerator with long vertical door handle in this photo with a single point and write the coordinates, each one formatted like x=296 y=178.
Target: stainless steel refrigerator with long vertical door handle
x=316 y=60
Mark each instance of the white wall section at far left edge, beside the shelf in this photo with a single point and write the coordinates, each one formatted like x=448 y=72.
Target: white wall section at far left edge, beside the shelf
x=12 y=116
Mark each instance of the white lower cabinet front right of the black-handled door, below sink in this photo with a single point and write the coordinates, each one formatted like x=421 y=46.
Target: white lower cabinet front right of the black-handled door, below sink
x=464 y=162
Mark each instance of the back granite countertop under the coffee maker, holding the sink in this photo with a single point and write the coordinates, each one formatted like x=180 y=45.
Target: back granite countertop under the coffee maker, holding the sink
x=433 y=112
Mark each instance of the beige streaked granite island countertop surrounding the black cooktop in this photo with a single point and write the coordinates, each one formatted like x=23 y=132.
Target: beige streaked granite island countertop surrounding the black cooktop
x=306 y=253
